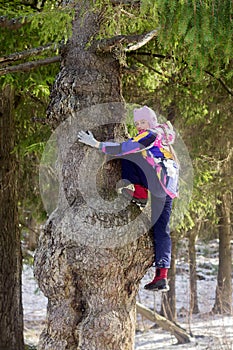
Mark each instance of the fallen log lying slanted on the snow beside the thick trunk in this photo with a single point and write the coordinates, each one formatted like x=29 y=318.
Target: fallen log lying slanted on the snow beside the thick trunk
x=181 y=335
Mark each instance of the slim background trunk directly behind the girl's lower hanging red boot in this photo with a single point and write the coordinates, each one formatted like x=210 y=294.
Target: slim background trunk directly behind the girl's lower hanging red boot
x=169 y=299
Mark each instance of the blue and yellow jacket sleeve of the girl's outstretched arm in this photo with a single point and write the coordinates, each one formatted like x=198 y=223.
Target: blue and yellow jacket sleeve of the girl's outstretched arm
x=132 y=145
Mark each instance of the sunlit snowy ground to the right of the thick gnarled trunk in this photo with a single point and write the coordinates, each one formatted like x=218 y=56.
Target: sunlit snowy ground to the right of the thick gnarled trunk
x=209 y=331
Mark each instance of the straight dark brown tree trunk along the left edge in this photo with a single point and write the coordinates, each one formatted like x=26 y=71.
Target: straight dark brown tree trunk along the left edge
x=11 y=319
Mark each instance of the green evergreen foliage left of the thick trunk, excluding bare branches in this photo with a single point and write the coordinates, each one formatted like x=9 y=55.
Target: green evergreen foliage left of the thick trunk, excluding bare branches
x=28 y=25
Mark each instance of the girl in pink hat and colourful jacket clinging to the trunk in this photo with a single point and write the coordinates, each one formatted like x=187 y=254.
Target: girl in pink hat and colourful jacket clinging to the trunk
x=149 y=163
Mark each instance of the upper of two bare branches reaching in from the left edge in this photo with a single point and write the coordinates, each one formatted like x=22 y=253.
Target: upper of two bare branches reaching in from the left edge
x=27 y=53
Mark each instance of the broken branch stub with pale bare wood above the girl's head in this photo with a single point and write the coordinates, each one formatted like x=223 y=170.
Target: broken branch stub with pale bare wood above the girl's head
x=133 y=42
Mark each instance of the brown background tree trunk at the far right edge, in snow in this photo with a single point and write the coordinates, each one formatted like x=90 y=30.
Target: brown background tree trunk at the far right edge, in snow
x=223 y=298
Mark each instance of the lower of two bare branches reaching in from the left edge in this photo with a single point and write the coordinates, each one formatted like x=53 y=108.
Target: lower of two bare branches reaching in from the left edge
x=24 y=67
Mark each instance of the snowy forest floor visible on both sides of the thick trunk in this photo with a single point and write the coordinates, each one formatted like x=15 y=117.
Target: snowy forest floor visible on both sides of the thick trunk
x=209 y=331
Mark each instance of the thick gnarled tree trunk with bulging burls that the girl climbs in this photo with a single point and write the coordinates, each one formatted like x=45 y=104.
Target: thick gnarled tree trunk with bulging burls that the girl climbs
x=86 y=264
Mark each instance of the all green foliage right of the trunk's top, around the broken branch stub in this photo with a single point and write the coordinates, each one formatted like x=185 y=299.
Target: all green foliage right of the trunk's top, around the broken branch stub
x=196 y=33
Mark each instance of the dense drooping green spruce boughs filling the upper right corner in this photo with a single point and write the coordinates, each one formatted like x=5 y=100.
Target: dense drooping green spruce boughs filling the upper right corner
x=199 y=31
